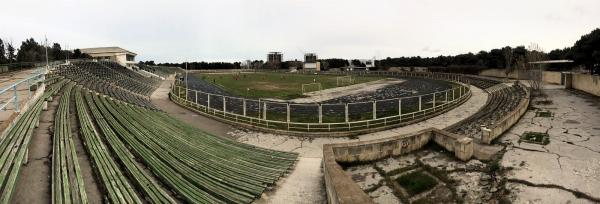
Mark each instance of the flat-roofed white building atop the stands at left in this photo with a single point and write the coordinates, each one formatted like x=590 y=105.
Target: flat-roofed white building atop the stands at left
x=116 y=54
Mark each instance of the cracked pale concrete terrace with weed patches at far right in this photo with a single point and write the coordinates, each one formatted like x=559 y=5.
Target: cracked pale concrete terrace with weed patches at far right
x=568 y=168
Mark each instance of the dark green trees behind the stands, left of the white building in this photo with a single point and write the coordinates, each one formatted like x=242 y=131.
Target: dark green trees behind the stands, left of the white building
x=32 y=51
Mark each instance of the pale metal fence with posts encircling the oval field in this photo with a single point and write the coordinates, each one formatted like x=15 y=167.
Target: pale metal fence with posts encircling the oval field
x=367 y=115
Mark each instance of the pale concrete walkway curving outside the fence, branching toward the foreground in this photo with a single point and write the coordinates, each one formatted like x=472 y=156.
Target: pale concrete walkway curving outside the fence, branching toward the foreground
x=305 y=183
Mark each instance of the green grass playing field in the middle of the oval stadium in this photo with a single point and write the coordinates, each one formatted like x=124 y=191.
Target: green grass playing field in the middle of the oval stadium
x=273 y=85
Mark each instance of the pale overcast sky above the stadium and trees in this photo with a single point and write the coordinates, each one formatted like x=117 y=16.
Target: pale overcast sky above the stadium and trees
x=228 y=30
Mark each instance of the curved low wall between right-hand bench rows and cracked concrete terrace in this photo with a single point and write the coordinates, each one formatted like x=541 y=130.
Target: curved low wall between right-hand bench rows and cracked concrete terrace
x=495 y=130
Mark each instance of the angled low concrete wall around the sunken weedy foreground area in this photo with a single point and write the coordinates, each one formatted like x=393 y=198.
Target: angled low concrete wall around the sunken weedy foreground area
x=342 y=189
